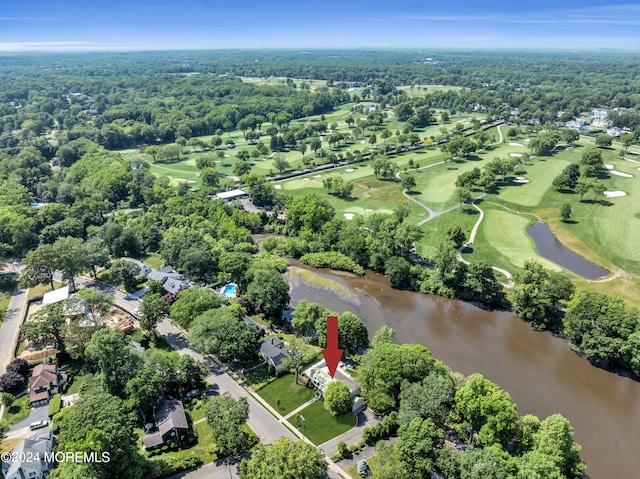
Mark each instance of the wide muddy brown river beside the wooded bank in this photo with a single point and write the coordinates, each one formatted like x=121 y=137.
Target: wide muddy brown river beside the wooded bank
x=539 y=370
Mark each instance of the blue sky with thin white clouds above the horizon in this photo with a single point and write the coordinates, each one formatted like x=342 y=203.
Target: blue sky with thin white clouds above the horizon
x=197 y=24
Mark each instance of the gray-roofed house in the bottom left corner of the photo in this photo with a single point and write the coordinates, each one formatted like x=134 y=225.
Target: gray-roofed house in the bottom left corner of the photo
x=26 y=467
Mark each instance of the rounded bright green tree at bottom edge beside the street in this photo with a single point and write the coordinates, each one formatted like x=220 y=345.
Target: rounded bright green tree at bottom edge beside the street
x=284 y=459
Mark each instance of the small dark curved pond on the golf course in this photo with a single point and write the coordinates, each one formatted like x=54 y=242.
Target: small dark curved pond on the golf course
x=550 y=248
